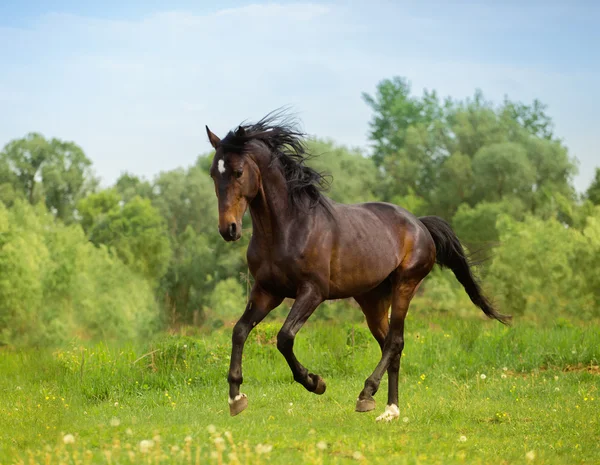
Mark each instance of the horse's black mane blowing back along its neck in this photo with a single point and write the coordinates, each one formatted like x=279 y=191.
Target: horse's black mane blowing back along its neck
x=280 y=133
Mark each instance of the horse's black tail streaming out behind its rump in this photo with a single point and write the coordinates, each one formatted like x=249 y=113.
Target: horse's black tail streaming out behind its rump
x=450 y=254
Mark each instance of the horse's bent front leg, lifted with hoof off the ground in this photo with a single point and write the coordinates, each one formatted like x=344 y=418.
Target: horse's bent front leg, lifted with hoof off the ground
x=307 y=300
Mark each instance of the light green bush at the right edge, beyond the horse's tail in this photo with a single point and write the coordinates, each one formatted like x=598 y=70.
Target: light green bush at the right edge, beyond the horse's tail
x=545 y=269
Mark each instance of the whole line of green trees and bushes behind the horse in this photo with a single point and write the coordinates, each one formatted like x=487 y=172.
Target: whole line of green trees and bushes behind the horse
x=78 y=260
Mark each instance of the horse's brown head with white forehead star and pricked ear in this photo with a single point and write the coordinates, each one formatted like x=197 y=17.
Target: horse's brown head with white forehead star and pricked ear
x=236 y=181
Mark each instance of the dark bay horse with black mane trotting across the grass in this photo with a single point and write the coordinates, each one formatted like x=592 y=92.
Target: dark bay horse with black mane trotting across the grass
x=307 y=247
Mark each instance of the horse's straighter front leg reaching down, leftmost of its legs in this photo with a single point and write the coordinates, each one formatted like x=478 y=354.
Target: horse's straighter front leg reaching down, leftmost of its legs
x=259 y=305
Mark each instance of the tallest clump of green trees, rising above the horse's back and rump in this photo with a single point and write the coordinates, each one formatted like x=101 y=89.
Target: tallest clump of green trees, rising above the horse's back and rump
x=466 y=151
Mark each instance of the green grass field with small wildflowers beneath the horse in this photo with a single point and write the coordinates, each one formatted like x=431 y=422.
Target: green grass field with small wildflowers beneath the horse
x=471 y=391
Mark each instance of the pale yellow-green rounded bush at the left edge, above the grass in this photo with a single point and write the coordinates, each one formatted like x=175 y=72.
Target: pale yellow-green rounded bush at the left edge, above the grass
x=55 y=285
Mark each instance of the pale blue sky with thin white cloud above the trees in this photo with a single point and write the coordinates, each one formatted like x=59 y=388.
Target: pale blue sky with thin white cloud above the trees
x=134 y=83
